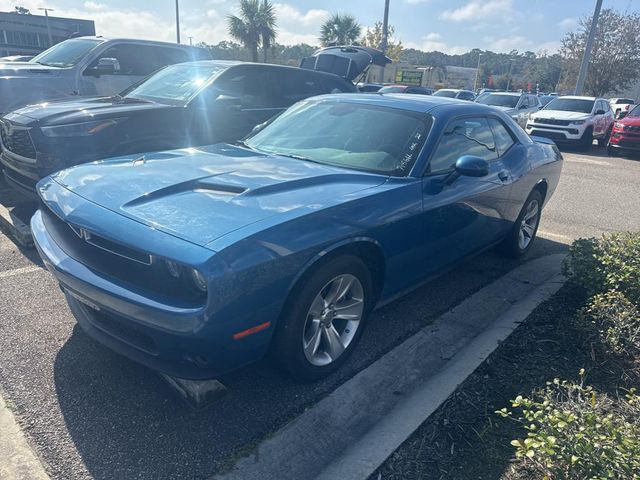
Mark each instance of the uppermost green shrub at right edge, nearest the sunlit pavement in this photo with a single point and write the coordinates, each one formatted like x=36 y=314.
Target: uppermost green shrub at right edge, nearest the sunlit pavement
x=611 y=262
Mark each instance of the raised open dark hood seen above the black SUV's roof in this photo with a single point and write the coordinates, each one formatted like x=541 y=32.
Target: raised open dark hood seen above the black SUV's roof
x=347 y=61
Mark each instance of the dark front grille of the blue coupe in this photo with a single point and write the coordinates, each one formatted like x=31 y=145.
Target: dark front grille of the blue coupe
x=129 y=267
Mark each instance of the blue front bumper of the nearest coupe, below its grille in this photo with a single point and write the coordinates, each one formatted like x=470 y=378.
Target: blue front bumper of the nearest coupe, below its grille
x=178 y=341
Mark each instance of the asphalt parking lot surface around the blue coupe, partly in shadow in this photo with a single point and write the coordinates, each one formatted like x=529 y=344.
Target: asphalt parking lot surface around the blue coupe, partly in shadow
x=91 y=414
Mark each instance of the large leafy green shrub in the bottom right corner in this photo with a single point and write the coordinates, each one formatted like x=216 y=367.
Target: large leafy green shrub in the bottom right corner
x=575 y=433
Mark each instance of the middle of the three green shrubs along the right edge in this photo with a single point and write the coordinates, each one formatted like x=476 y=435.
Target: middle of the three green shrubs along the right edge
x=616 y=321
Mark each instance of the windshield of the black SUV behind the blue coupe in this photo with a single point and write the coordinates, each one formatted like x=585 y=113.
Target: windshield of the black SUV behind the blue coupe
x=176 y=84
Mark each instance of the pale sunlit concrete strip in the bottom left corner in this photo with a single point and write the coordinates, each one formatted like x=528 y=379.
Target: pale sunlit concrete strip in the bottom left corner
x=17 y=460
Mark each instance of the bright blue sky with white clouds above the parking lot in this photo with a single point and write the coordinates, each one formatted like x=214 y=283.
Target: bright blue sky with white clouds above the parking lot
x=450 y=26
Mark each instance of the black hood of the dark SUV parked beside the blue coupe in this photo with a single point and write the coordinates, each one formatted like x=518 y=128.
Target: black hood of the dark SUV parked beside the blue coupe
x=79 y=110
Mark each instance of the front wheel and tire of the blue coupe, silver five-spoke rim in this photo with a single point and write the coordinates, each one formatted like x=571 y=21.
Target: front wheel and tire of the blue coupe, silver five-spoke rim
x=304 y=343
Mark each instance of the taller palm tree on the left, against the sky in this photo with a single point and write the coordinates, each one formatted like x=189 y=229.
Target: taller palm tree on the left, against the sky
x=255 y=26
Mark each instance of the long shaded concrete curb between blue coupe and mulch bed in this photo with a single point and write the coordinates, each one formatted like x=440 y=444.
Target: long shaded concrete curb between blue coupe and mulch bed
x=351 y=432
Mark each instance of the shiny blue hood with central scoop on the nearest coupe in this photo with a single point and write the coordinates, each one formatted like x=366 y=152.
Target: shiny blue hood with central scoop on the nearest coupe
x=200 y=195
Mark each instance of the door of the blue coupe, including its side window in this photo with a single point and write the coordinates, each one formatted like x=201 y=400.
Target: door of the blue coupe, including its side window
x=468 y=214
